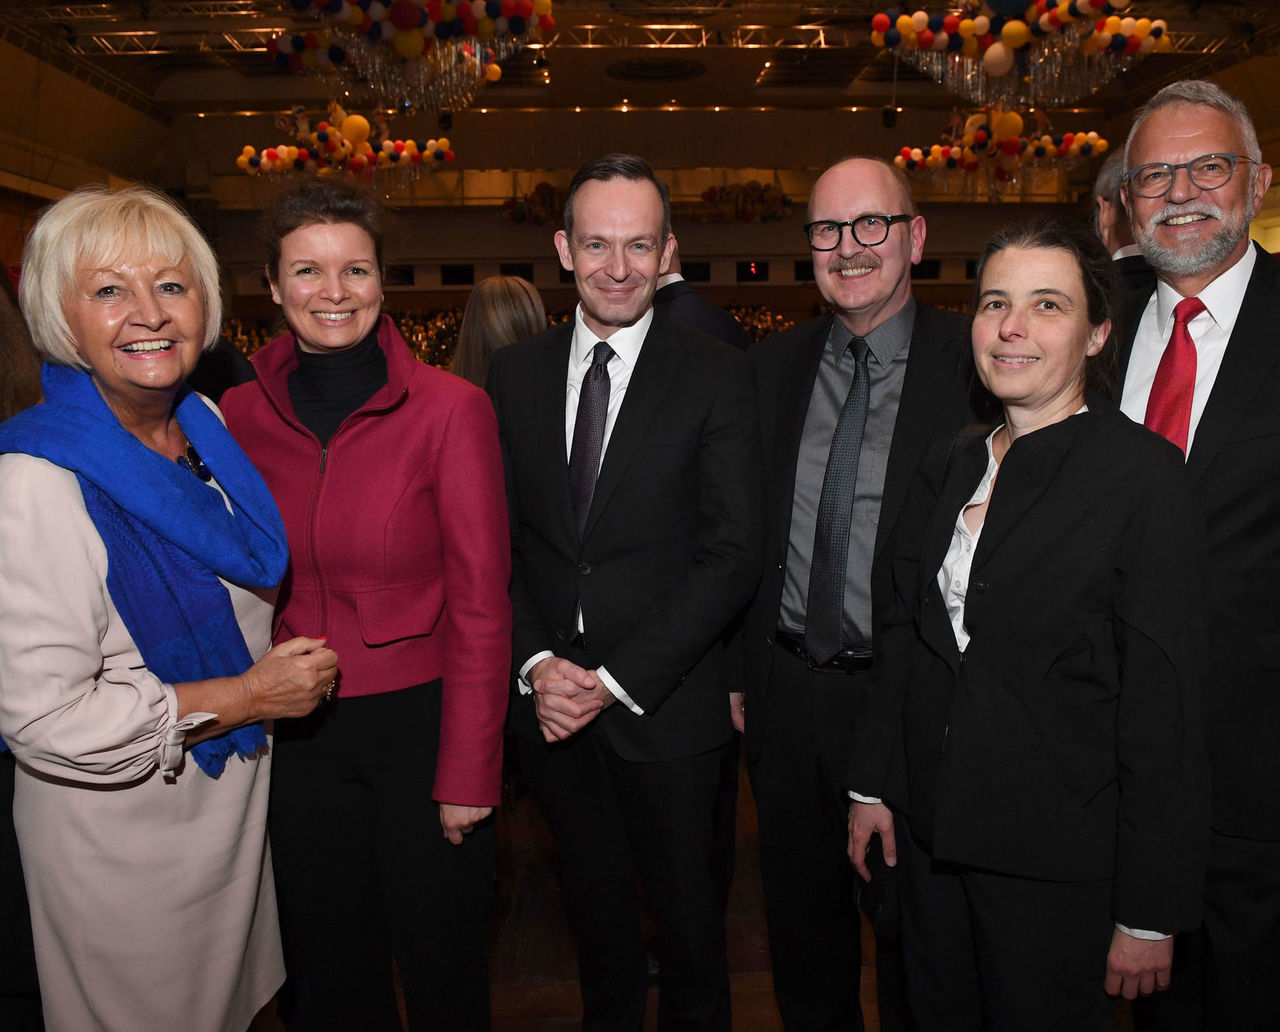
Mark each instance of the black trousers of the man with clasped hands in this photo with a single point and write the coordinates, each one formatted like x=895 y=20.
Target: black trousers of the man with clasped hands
x=615 y=820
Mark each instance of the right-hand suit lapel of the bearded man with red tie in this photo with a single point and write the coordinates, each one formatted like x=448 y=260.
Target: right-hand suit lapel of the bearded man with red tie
x=1247 y=364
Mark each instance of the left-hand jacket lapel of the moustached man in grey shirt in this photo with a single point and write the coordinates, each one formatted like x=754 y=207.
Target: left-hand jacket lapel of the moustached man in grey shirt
x=794 y=373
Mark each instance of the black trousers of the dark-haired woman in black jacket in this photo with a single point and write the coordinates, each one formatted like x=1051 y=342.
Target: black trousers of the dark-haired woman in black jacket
x=995 y=953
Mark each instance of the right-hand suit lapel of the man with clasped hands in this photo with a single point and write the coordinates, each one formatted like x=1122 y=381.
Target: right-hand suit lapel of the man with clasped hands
x=661 y=359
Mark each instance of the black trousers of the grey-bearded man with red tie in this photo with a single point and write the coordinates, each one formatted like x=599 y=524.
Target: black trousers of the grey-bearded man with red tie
x=1227 y=974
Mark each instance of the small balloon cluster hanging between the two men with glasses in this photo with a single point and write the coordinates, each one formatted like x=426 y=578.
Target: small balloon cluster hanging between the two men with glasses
x=996 y=140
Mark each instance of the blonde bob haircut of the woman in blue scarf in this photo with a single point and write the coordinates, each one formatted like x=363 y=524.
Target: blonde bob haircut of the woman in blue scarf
x=95 y=227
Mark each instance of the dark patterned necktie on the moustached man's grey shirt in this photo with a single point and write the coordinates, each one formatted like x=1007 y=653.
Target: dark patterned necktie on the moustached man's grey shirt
x=826 y=606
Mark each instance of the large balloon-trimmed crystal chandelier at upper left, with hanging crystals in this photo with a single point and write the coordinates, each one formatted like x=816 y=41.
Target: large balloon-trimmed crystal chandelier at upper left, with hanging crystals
x=422 y=54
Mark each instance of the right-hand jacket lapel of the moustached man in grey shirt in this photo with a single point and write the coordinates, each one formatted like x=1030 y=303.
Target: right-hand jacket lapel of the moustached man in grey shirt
x=931 y=373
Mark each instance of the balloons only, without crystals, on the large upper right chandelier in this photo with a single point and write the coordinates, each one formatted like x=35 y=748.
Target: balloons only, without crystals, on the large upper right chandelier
x=998 y=31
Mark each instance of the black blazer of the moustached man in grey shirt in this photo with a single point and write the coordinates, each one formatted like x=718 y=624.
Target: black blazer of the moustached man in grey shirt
x=935 y=401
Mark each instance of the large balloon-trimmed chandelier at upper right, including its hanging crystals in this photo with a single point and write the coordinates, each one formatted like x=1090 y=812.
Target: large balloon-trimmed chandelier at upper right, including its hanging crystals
x=1059 y=51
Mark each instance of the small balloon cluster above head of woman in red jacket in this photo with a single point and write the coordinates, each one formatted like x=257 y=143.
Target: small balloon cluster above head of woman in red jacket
x=348 y=143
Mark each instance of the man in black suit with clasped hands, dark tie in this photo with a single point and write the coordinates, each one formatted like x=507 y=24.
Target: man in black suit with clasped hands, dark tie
x=623 y=587
